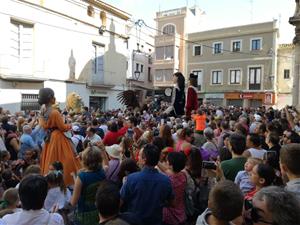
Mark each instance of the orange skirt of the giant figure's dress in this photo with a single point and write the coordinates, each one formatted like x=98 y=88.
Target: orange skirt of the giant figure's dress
x=59 y=148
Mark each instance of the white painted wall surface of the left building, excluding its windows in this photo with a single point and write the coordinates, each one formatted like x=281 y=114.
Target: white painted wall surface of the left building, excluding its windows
x=54 y=37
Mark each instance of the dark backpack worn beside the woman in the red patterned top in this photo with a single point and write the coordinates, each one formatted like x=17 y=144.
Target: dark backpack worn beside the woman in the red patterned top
x=196 y=196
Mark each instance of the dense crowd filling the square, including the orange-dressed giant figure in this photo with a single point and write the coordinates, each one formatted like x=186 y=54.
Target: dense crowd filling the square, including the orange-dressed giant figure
x=216 y=165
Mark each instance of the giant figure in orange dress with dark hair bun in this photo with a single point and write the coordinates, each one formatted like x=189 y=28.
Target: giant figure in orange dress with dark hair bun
x=58 y=146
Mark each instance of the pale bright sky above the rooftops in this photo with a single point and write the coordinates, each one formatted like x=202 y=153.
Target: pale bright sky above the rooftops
x=220 y=13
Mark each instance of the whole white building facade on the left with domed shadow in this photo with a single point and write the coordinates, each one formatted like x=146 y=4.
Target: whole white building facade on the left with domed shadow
x=67 y=45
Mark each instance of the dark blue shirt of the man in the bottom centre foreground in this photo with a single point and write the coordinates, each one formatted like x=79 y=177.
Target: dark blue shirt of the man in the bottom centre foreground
x=145 y=194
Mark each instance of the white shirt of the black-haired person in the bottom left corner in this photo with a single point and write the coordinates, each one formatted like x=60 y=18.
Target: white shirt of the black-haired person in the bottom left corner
x=32 y=217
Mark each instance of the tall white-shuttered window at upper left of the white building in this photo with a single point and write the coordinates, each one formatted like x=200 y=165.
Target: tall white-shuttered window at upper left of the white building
x=21 y=44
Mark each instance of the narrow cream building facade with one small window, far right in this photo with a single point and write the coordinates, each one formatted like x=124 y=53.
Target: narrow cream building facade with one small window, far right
x=285 y=74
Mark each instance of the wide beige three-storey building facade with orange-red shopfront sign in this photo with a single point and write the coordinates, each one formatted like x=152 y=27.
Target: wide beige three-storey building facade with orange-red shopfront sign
x=235 y=65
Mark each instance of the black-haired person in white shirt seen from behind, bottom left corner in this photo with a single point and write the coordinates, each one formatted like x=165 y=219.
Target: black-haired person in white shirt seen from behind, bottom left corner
x=32 y=191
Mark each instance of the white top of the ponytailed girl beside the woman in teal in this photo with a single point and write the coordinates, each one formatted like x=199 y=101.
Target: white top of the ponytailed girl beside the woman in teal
x=56 y=198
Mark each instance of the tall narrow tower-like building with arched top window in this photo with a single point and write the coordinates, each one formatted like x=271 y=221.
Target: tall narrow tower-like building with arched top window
x=170 y=46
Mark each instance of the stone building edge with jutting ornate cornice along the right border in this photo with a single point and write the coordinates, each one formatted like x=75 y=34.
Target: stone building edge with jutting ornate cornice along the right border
x=295 y=21
